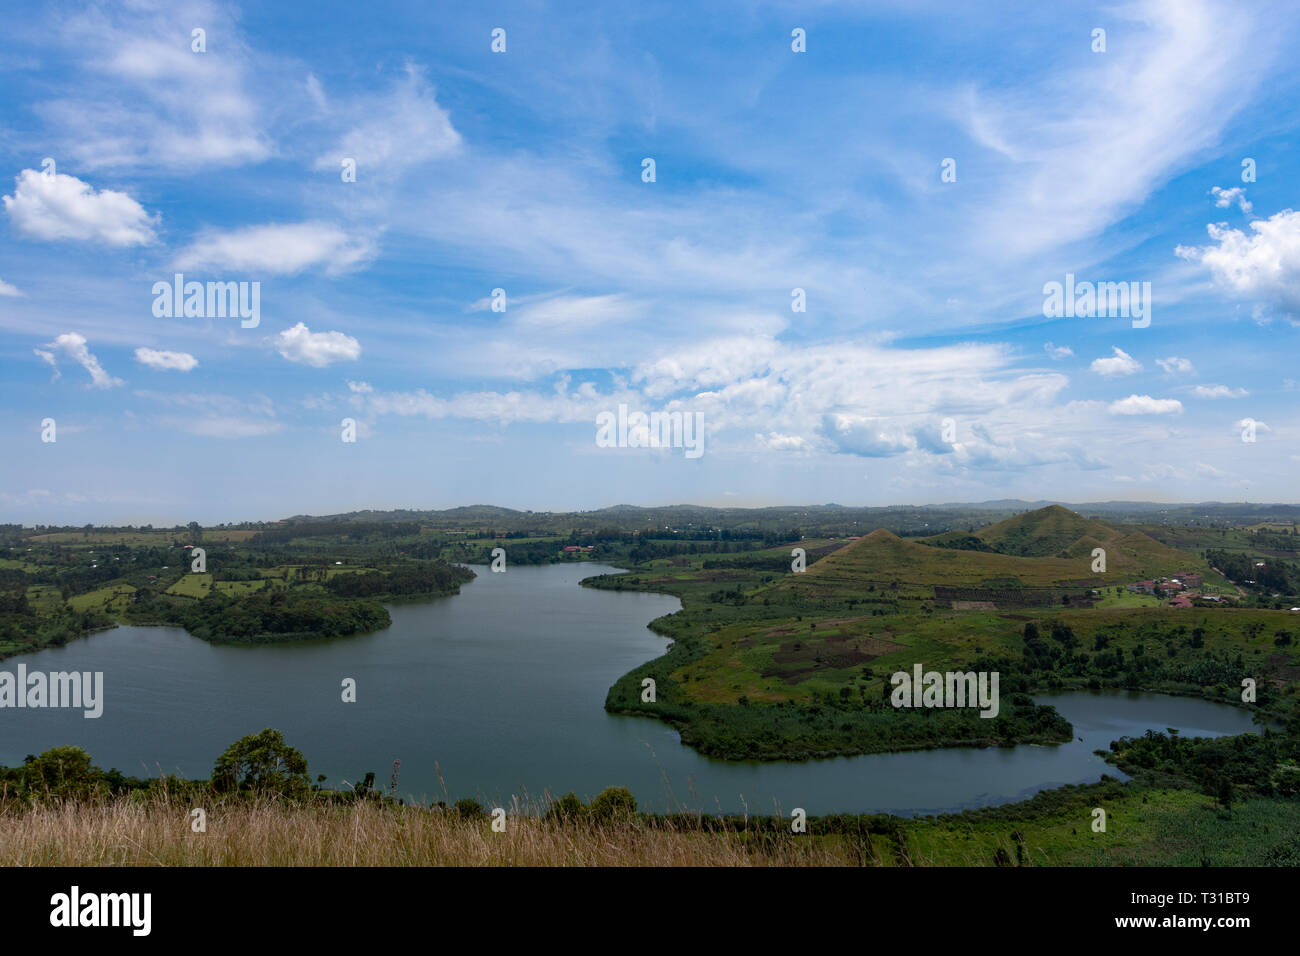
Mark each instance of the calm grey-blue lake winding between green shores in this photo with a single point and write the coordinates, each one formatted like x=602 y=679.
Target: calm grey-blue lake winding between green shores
x=504 y=687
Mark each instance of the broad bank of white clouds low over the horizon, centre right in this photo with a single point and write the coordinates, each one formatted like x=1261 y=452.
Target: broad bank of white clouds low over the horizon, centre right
x=848 y=399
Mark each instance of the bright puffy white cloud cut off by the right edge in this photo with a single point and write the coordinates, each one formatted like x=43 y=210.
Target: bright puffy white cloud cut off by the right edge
x=1263 y=265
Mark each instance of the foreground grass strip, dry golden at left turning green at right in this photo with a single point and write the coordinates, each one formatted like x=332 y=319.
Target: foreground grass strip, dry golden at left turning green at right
x=1146 y=827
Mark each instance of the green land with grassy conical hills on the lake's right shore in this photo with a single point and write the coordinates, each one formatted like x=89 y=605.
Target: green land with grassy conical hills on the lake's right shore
x=768 y=664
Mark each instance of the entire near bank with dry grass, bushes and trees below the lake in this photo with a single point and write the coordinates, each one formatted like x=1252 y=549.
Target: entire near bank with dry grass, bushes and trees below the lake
x=261 y=808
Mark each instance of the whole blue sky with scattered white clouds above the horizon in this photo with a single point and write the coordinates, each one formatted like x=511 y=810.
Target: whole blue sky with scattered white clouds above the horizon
x=839 y=263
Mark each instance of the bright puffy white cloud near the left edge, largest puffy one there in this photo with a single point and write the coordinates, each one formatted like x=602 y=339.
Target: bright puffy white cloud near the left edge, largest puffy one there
x=63 y=207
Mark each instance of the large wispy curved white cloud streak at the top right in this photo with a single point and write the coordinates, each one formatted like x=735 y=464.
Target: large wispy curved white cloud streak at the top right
x=1176 y=86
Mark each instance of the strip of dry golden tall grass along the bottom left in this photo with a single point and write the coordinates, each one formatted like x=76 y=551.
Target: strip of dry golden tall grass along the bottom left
x=158 y=833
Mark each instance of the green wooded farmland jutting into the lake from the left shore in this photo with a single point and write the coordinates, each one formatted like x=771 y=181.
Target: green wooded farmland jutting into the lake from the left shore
x=255 y=589
